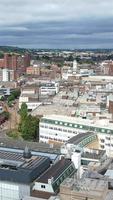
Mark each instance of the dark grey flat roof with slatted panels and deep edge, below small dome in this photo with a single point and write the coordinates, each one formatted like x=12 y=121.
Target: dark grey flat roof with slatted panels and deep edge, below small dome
x=15 y=167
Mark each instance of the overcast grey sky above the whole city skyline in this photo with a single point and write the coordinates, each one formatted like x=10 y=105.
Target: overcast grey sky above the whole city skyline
x=57 y=23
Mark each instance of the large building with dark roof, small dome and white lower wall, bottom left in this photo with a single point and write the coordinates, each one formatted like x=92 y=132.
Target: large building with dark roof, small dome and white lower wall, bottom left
x=18 y=172
